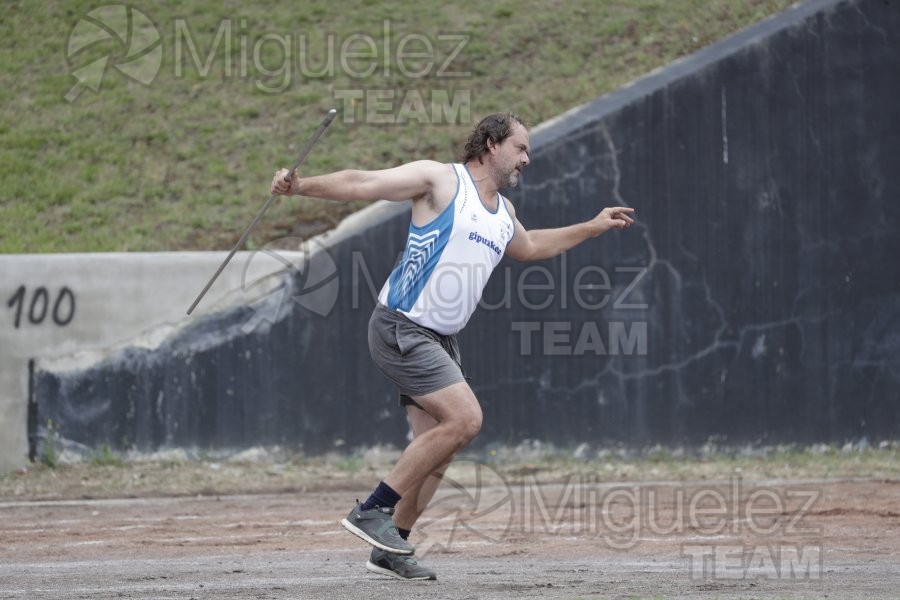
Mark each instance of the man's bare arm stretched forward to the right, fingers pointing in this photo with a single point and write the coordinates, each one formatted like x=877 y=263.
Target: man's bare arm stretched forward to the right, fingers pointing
x=539 y=244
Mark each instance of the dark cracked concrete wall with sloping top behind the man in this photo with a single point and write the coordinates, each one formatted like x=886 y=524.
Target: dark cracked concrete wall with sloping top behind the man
x=766 y=174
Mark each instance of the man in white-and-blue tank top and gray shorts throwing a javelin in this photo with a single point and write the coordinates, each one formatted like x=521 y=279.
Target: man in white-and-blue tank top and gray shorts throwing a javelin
x=461 y=227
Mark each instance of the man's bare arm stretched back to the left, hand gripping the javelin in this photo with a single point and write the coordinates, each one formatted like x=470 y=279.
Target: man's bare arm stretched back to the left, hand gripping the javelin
x=411 y=181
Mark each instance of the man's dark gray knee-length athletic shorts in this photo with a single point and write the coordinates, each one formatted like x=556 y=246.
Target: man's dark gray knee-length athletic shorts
x=418 y=360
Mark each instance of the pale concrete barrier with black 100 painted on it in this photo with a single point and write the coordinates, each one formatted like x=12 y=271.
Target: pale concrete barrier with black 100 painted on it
x=68 y=311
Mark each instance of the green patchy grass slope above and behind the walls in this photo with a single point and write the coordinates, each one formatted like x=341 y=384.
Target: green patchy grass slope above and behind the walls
x=185 y=162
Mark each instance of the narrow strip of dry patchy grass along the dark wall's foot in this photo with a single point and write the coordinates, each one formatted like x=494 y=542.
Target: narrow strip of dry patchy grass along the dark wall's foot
x=277 y=471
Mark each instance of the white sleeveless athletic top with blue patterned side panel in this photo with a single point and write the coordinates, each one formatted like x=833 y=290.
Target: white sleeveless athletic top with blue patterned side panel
x=446 y=264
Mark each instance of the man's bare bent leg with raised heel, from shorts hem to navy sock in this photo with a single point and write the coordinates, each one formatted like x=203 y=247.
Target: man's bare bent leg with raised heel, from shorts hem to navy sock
x=458 y=417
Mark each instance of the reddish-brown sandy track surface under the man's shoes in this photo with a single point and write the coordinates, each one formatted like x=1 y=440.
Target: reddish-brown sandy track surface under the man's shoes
x=486 y=538
